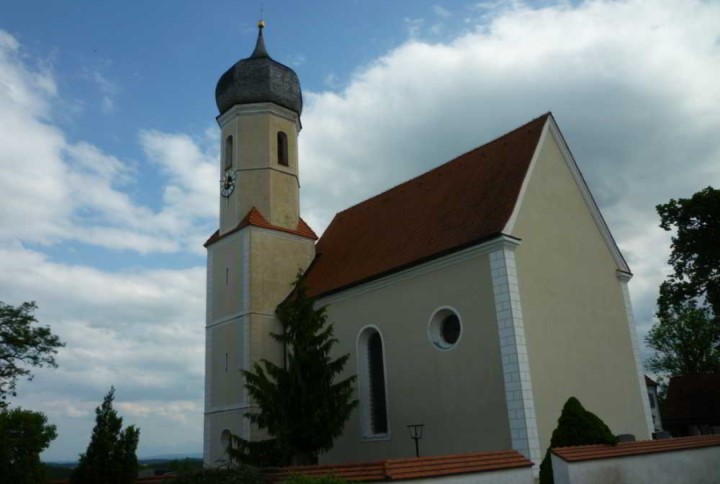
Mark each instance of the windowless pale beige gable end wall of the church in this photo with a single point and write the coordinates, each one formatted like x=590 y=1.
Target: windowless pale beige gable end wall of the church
x=576 y=326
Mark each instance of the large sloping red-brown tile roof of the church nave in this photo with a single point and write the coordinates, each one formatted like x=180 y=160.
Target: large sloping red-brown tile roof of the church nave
x=456 y=205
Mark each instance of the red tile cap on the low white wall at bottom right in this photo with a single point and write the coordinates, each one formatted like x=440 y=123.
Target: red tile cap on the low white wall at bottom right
x=593 y=452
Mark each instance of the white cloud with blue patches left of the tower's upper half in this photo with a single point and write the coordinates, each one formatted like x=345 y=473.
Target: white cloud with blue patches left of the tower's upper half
x=56 y=191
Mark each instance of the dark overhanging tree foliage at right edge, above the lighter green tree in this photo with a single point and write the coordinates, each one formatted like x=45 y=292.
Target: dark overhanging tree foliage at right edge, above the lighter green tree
x=695 y=255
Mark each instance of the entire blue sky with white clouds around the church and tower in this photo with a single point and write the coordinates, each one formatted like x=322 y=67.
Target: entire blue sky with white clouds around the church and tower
x=109 y=153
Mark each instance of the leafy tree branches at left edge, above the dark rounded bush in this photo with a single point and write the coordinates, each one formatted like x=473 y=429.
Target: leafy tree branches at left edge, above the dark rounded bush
x=23 y=344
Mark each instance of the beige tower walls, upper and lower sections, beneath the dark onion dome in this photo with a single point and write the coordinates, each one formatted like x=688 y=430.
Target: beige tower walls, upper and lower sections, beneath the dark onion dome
x=250 y=269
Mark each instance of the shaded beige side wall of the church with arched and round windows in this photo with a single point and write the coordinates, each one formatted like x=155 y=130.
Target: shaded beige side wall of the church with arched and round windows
x=458 y=394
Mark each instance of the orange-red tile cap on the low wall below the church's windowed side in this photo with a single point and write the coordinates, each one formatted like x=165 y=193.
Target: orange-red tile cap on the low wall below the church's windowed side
x=412 y=468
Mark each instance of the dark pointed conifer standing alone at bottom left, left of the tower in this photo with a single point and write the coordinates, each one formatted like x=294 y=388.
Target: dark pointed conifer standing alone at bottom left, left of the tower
x=110 y=457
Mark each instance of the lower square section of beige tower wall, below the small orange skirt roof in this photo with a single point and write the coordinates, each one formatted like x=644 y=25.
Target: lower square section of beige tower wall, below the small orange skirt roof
x=260 y=265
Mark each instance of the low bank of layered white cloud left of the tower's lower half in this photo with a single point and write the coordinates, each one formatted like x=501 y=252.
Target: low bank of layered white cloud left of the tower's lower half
x=140 y=330
